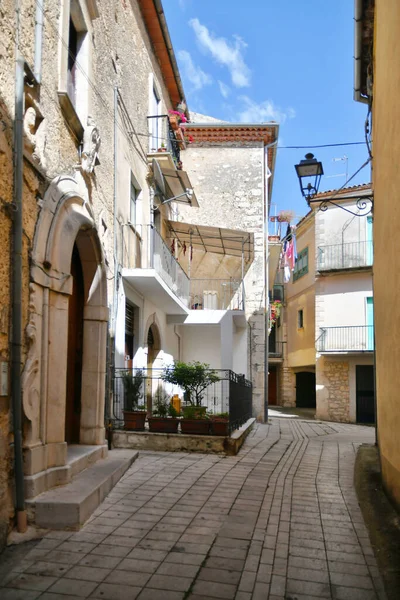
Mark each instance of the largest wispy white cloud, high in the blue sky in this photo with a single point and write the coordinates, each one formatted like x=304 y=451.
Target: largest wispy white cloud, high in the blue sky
x=225 y=53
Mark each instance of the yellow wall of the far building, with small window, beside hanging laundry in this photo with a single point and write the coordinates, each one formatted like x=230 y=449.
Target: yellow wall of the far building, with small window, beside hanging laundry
x=300 y=295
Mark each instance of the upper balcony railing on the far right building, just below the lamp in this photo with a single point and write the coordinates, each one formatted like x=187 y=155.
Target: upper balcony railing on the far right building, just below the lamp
x=352 y=255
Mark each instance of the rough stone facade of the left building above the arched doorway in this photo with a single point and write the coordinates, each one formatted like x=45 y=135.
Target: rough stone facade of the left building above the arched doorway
x=120 y=54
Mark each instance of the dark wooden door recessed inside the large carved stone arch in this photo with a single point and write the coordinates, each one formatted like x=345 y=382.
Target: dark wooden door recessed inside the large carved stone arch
x=75 y=352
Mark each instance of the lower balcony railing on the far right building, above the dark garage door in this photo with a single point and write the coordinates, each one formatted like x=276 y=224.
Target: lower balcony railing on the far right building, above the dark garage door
x=346 y=339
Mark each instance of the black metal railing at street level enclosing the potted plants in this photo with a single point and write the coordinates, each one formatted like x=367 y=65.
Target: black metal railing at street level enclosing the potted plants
x=231 y=394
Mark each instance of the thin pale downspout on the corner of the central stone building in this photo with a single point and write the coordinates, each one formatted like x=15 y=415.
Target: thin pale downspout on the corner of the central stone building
x=266 y=175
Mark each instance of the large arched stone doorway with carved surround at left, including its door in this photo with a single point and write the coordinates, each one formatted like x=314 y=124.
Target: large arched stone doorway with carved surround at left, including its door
x=66 y=256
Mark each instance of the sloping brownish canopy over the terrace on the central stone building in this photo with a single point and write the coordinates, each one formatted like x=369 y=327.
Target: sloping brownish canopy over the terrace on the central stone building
x=233 y=242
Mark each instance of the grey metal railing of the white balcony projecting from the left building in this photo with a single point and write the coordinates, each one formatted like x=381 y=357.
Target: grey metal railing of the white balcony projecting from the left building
x=166 y=265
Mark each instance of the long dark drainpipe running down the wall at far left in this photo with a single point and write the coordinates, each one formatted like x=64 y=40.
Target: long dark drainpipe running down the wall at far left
x=16 y=283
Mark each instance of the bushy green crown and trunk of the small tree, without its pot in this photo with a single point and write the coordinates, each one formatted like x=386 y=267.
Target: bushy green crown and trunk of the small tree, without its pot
x=193 y=377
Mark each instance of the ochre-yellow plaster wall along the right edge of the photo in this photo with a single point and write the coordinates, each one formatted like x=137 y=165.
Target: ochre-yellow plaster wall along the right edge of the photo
x=386 y=183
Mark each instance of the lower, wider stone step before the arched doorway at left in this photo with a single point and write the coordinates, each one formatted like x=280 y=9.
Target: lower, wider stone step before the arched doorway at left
x=69 y=506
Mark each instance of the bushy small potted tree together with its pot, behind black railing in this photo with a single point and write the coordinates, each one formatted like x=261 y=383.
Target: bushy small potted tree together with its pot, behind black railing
x=193 y=378
